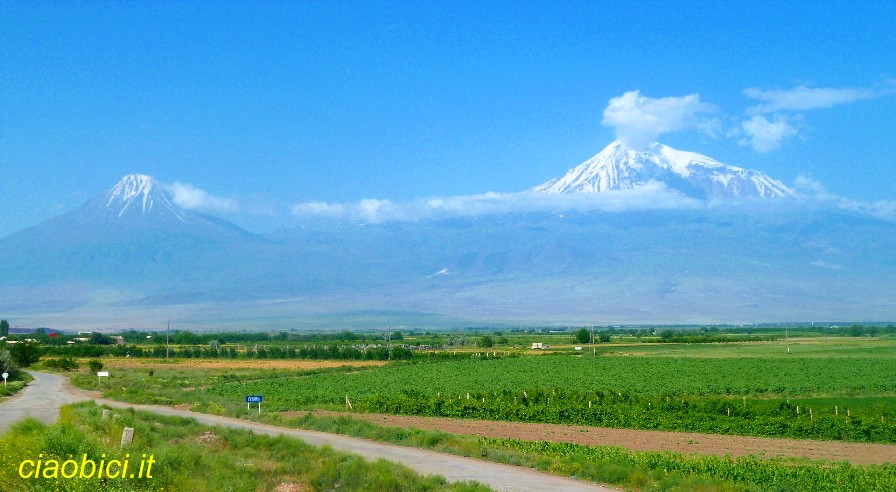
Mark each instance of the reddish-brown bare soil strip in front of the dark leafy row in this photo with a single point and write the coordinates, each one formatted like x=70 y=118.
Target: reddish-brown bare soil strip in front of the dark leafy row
x=640 y=440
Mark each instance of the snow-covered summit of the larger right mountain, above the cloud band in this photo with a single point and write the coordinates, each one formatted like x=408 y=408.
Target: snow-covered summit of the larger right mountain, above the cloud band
x=618 y=167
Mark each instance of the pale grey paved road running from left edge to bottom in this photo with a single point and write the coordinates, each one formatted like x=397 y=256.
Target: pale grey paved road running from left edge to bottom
x=48 y=392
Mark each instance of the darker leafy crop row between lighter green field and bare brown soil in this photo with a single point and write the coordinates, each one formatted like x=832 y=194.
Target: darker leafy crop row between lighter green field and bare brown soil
x=621 y=410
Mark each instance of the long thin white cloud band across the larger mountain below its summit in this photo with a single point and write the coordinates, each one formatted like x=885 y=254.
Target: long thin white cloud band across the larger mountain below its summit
x=653 y=195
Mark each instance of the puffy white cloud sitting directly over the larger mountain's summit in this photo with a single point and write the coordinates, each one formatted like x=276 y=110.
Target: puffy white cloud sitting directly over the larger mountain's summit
x=639 y=120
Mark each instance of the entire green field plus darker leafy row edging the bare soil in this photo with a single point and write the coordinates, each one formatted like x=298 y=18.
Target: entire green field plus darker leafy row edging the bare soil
x=747 y=396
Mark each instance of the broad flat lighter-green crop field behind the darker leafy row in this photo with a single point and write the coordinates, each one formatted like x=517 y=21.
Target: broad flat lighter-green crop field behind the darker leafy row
x=631 y=375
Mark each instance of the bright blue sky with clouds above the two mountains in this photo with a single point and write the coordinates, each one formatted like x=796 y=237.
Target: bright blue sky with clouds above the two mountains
x=262 y=106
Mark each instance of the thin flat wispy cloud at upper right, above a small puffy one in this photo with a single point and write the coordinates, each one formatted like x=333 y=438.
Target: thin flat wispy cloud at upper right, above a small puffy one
x=805 y=98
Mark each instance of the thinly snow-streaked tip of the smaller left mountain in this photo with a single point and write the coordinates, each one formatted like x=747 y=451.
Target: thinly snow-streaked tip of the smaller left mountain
x=140 y=194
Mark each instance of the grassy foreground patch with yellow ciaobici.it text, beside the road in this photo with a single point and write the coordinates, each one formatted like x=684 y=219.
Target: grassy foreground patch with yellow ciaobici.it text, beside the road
x=189 y=456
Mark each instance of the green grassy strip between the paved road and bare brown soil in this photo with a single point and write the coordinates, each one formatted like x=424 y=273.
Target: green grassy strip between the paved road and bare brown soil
x=618 y=466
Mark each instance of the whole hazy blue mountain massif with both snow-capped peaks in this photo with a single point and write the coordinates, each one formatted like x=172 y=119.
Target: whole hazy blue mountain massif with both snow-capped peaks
x=131 y=255
